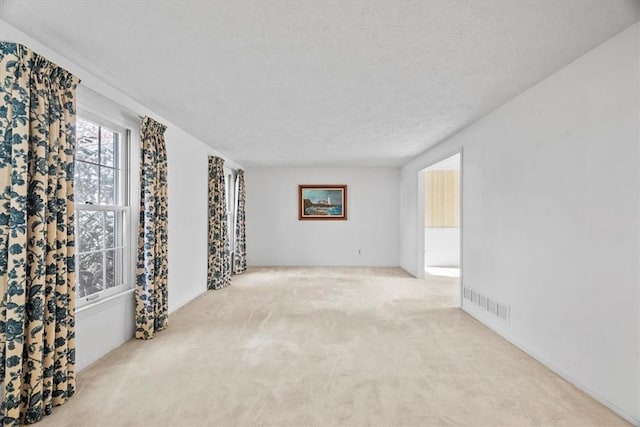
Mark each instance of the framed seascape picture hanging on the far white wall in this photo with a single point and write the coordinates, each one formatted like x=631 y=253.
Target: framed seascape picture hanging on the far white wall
x=322 y=202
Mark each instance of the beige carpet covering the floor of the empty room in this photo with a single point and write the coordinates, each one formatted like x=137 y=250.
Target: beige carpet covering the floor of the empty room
x=325 y=347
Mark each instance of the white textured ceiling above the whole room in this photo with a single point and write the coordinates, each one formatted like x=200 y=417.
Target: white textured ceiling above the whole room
x=322 y=83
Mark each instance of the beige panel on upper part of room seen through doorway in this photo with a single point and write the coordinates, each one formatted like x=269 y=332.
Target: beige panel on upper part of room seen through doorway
x=442 y=189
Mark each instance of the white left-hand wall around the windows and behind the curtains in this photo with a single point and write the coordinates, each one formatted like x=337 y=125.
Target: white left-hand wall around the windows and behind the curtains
x=106 y=325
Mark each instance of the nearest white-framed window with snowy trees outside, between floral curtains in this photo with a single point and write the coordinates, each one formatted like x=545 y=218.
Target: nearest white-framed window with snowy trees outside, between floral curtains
x=102 y=210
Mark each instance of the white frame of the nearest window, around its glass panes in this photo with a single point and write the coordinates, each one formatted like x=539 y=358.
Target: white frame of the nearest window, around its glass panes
x=124 y=205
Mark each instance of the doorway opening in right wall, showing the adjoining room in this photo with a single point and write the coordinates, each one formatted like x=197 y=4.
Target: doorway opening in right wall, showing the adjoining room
x=441 y=220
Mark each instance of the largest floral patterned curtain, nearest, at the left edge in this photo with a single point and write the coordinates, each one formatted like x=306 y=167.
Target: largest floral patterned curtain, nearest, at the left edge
x=37 y=247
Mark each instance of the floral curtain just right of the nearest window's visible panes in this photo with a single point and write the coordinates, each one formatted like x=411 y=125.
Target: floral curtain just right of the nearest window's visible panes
x=152 y=269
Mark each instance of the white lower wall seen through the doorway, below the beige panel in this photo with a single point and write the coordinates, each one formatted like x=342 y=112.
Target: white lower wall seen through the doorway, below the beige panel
x=442 y=247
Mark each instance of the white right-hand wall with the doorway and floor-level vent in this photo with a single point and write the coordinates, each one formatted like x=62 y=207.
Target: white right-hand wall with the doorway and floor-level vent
x=551 y=216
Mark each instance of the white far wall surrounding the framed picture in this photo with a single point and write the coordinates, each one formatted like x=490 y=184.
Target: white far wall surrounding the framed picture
x=276 y=237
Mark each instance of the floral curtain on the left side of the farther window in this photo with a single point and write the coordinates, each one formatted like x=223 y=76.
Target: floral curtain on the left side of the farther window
x=219 y=271
